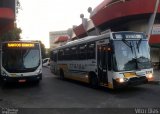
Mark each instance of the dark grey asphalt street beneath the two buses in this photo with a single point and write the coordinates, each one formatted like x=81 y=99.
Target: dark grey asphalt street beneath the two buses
x=55 y=93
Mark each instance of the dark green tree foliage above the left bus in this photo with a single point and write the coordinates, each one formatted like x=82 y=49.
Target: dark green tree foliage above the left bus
x=11 y=35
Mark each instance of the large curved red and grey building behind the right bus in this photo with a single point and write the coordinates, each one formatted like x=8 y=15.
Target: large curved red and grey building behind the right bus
x=123 y=15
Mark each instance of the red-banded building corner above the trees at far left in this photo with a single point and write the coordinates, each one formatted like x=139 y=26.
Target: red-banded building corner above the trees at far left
x=7 y=15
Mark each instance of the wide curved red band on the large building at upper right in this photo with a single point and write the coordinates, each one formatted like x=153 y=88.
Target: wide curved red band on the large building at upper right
x=124 y=9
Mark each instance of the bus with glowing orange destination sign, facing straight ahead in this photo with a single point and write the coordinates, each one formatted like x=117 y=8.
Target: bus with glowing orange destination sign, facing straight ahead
x=21 y=61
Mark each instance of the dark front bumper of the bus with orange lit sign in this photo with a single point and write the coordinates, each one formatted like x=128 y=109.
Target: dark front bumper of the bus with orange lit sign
x=22 y=79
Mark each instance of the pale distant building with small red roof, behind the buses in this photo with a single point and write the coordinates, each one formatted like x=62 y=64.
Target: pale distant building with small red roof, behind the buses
x=57 y=38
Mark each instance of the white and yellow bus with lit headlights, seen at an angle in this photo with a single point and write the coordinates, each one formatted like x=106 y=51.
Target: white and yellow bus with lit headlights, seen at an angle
x=113 y=60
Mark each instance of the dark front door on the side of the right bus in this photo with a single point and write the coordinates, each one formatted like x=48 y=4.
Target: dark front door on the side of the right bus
x=102 y=63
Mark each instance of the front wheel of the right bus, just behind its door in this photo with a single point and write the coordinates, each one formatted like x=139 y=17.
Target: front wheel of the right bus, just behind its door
x=94 y=83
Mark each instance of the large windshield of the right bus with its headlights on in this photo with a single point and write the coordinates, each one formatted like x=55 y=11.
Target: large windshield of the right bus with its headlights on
x=132 y=55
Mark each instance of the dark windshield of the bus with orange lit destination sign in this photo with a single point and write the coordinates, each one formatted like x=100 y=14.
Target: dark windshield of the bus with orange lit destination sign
x=18 y=60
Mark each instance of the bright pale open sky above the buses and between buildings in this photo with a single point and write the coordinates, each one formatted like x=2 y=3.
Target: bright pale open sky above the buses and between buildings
x=37 y=18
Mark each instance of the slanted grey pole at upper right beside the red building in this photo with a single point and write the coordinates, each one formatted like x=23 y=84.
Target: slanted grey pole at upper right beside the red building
x=152 y=19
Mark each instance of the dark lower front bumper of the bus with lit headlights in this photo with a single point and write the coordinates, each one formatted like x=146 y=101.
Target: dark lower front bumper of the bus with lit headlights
x=131 y=82
